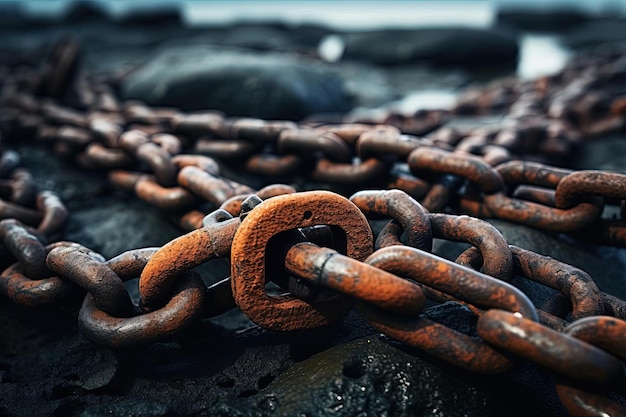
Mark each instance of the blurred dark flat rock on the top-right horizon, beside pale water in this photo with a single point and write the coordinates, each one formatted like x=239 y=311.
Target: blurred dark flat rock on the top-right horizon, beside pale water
x=553 y=19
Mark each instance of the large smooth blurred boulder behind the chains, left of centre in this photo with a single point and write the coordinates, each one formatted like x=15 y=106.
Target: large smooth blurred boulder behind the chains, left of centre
x=239 y=83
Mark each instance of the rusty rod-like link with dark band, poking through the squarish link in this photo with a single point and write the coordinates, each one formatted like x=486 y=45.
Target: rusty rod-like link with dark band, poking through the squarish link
x=363 y=282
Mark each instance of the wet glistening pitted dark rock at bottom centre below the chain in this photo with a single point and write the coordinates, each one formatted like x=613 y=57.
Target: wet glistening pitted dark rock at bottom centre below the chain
x=374 y=377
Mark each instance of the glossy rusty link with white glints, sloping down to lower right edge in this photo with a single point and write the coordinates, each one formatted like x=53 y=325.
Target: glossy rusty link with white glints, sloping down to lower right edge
x=557 y=351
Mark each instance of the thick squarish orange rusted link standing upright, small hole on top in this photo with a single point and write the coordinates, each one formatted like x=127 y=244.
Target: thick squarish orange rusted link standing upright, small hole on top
x=280 y=214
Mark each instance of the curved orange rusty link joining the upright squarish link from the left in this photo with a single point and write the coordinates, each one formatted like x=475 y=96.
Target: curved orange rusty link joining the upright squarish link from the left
x=182 y=254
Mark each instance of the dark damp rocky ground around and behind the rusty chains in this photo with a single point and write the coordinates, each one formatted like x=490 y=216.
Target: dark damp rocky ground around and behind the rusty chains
x=226 y=365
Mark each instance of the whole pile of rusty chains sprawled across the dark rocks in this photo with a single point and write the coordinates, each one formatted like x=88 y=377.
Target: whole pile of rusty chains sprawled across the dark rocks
x=318 y=245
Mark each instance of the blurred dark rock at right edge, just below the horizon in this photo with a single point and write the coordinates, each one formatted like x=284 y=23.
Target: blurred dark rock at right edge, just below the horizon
x=595 y=33
